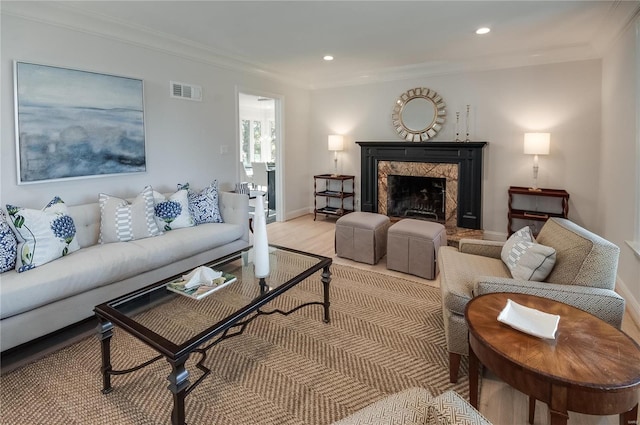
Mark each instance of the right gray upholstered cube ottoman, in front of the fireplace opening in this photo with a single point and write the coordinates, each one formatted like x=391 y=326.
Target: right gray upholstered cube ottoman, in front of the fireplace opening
x=412 y=246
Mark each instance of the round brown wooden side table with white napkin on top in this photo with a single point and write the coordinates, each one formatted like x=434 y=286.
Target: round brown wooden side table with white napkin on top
x=590 y=367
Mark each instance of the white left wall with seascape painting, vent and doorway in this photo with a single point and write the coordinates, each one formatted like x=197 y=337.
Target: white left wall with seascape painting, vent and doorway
x=183 y=137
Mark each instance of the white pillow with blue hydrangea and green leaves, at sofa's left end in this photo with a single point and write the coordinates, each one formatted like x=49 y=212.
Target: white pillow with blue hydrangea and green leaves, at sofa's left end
x=43 y=235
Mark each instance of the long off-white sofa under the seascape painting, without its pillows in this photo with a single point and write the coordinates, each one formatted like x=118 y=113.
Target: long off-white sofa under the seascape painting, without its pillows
x=57 y=294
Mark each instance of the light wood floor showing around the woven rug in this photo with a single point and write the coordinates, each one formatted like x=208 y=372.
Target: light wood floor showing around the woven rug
x=501 y=404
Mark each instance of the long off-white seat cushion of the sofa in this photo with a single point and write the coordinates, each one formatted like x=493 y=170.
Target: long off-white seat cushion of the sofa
x=101 y=265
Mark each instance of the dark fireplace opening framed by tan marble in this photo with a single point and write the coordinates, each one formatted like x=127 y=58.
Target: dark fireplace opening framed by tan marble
x=417 y=197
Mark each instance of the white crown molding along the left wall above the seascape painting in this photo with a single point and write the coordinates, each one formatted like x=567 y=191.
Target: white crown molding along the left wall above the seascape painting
x=67 y=17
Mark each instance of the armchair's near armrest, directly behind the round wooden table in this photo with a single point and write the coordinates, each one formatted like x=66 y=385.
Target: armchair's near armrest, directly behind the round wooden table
x=602 y=303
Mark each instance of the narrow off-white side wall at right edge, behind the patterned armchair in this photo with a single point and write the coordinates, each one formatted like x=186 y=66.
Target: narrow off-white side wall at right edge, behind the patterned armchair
x=618 y=191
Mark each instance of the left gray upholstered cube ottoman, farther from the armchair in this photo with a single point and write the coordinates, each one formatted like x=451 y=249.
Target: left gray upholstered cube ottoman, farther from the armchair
x=362 y=236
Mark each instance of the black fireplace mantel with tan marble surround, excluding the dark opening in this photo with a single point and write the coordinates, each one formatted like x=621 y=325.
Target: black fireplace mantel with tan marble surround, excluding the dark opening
x=461 y=161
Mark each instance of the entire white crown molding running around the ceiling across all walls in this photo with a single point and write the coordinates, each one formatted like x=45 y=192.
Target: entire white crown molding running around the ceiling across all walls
x=65 y=16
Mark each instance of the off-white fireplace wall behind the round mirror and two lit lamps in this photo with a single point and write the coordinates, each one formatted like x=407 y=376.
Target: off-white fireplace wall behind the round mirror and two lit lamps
x=563 y=99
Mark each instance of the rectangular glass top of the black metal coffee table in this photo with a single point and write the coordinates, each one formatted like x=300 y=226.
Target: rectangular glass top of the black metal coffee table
x=173 y=322
